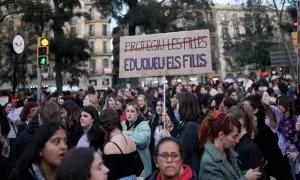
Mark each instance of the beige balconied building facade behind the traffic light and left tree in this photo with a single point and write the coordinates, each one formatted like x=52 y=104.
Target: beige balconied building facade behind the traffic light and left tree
x=95 y=28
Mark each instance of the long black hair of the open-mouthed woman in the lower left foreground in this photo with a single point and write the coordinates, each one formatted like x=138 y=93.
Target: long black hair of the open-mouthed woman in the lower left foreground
x=32 y=152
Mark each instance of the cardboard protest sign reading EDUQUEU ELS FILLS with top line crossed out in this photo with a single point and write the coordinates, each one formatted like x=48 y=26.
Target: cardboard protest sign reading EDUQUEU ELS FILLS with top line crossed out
x=166 y=54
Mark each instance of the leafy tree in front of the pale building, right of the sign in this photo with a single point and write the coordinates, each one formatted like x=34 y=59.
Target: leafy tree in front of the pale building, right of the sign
x=258 y=39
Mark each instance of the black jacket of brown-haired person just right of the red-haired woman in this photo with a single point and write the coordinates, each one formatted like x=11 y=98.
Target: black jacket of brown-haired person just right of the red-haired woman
x=250 y=156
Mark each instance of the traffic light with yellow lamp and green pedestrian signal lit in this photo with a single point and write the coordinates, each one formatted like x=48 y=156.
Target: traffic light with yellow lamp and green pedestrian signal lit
x=42 y=51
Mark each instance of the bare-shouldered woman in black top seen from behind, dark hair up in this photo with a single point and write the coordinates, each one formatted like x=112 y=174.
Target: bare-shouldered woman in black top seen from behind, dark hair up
x=118 y=147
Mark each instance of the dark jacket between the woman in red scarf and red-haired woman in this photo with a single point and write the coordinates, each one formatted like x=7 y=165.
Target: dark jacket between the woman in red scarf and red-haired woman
x=188 y=138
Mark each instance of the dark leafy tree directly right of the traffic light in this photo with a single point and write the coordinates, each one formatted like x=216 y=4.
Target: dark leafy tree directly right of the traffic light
x=68 y=51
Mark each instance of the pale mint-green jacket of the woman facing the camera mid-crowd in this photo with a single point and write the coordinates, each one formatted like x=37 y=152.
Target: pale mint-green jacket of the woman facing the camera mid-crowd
x=141 y=136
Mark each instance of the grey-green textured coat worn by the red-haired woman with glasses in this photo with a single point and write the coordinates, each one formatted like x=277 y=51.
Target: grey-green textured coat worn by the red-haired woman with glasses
x=214 y=167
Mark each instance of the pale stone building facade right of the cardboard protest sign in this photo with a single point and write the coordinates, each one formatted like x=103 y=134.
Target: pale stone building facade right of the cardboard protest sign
x=230 y=28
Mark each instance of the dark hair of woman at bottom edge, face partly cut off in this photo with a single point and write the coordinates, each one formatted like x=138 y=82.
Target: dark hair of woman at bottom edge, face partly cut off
x=76 y=164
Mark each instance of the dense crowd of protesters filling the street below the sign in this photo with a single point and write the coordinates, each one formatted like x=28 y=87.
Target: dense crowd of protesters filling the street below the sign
x=220 y=131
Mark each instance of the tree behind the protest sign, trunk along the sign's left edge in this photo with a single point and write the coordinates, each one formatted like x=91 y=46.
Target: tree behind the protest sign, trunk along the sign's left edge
x=154 y=17
